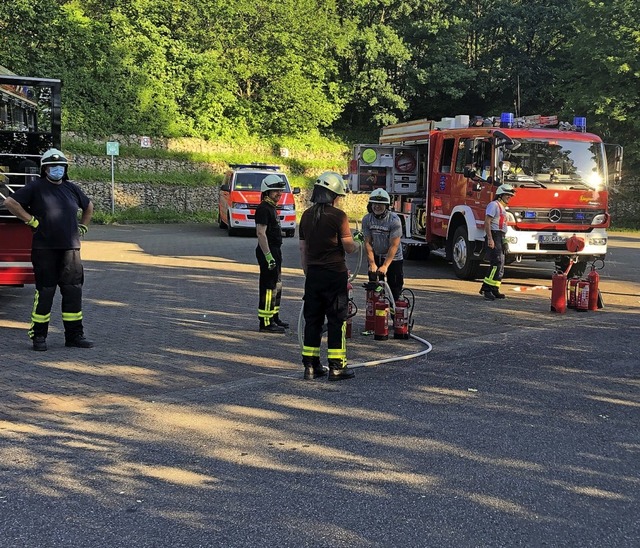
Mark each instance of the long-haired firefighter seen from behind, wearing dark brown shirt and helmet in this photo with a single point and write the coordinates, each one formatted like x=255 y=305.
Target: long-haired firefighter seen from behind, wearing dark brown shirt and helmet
x=325 y=236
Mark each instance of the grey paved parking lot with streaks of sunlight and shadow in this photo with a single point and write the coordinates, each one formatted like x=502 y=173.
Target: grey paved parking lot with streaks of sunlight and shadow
x=184 y=426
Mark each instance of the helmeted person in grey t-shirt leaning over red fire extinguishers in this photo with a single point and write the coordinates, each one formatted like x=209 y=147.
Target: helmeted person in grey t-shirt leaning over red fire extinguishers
x=382 y=231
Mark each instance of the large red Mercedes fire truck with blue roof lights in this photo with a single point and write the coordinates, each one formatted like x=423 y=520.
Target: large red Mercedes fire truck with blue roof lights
x=441 y=176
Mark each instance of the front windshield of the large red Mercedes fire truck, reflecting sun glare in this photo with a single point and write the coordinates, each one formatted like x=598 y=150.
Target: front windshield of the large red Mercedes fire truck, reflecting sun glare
x=567 y=163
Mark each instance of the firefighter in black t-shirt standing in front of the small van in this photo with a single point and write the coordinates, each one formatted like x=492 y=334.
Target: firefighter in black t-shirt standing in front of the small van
x=269 y=255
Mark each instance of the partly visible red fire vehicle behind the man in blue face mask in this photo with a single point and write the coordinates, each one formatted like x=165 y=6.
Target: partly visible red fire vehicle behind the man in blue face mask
x=29 y=125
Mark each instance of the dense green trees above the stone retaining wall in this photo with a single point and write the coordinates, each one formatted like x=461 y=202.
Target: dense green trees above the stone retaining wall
x=216 y=69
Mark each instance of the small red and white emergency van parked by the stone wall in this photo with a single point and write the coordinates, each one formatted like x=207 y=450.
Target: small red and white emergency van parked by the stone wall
x=240 y=195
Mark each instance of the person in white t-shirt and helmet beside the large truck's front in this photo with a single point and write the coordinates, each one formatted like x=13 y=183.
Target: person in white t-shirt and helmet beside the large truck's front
x=495 y=227
